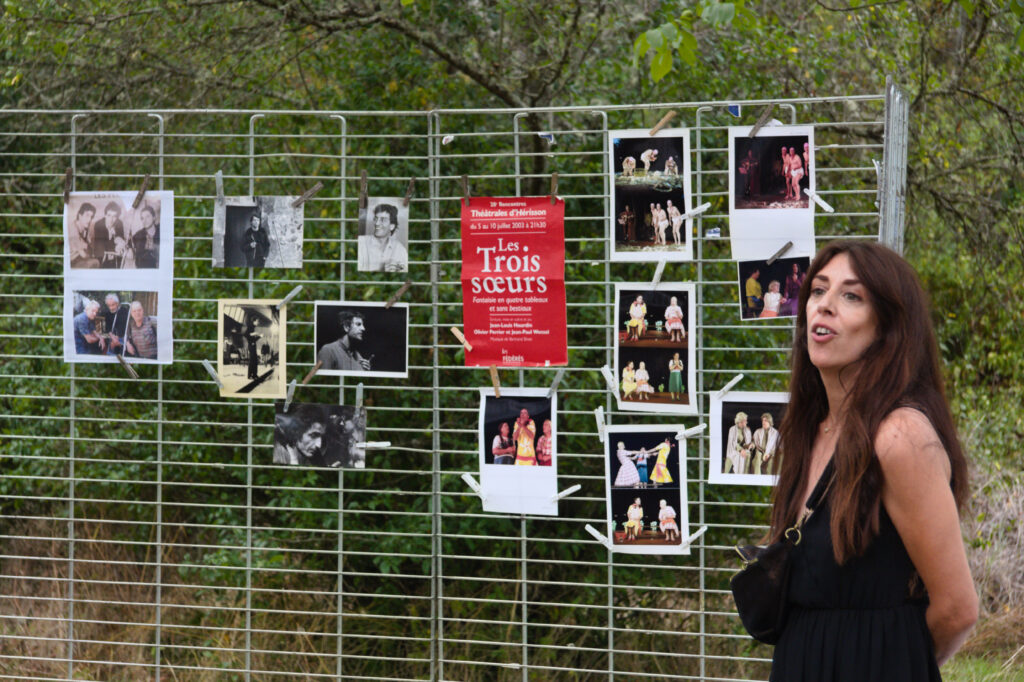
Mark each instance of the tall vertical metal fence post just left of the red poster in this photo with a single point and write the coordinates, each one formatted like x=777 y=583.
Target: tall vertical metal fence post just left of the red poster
x=437 y=566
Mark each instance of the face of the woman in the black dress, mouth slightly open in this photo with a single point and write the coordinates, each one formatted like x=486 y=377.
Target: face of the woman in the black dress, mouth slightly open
x=841 y=319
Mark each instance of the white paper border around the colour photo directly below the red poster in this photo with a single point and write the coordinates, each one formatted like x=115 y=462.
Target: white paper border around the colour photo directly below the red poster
x=503 y=485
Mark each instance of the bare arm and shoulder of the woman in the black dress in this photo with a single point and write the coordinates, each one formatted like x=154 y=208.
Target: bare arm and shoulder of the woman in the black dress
x=917 y=495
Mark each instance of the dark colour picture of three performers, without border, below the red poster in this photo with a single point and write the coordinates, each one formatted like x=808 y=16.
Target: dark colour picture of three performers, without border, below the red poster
x=519 y=432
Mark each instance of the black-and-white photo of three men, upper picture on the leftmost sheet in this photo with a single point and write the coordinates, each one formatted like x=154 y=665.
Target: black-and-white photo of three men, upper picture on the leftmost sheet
x=106 y=233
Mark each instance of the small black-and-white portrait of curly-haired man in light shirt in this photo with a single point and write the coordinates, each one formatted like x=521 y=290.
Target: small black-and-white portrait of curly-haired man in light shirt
x=383 y=242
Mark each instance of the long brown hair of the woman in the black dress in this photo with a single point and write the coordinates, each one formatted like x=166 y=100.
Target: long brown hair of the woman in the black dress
x=900 y=369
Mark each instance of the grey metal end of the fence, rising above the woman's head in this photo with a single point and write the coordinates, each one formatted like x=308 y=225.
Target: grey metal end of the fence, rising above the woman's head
x=892 y=199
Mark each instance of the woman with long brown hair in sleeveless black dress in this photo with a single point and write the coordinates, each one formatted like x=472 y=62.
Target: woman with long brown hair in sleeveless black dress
x=867 y=395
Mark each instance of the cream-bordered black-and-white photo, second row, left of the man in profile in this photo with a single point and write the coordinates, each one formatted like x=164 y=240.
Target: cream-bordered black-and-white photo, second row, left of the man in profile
x=251 y=362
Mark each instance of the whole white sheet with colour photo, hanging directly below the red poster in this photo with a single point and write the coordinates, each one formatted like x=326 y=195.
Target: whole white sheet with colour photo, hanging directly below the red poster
x=519 y=451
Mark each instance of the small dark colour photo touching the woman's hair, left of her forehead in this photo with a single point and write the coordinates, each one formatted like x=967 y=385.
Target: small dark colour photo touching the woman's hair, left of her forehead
x=771 y=291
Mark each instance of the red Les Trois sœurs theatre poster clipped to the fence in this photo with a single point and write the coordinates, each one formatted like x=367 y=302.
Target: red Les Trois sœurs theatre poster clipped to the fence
x=514 y=282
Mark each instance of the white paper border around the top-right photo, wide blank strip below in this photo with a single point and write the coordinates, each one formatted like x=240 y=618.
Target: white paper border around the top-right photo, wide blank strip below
x=758 y=234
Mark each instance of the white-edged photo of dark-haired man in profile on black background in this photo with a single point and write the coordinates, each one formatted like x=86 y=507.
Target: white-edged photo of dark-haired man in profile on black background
x=362 y=339
